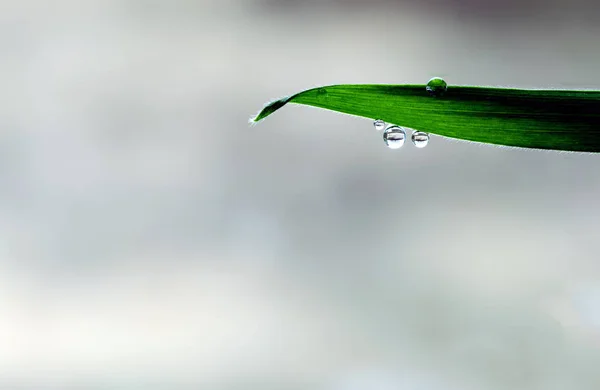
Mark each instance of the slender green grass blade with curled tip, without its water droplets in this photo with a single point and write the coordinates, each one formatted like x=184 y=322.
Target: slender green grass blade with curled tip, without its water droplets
x=541 y=119
